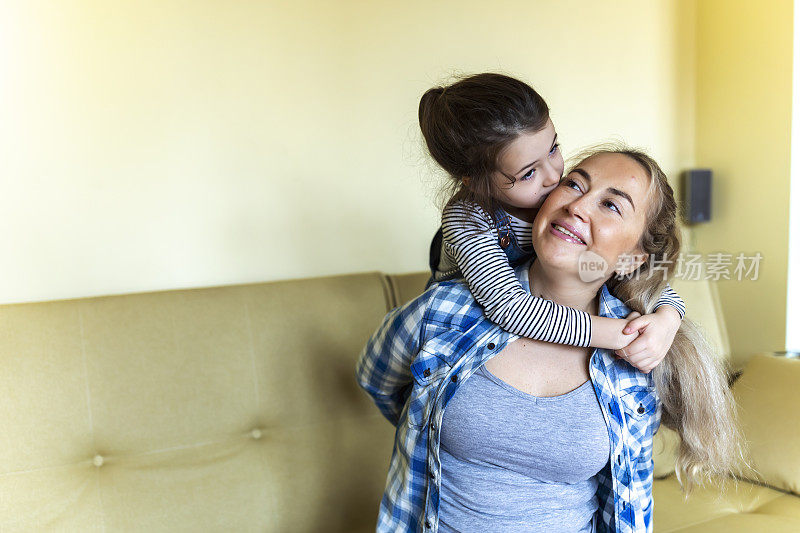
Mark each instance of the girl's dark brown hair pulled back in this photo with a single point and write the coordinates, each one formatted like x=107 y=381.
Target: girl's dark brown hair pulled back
x=468 y=123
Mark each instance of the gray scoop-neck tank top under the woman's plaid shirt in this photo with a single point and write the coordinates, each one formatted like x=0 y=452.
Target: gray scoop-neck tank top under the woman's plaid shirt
x=514 y=462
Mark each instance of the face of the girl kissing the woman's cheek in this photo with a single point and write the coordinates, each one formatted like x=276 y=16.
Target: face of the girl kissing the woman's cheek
x=528 y=169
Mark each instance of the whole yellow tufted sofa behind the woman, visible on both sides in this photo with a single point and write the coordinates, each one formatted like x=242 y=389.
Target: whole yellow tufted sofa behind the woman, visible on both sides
x=235 y=409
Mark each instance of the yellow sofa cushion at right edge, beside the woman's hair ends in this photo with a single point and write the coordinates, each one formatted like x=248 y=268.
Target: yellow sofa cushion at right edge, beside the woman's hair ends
x=768 y=396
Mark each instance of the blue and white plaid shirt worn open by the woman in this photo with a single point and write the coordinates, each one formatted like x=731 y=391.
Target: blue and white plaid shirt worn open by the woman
x=421 y=354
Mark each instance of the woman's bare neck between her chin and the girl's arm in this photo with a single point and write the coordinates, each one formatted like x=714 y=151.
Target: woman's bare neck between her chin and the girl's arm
x=563 y=289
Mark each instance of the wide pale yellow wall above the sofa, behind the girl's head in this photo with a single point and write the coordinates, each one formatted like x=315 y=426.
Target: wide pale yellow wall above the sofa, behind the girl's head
x=163 y=144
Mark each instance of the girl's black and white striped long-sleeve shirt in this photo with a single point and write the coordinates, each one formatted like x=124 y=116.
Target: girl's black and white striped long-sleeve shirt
x=471 y=247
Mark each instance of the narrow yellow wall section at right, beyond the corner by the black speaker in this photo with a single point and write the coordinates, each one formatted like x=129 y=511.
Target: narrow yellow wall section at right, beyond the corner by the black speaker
x=743 y=126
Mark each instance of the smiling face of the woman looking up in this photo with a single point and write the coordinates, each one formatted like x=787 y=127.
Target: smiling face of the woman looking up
x=600 y=207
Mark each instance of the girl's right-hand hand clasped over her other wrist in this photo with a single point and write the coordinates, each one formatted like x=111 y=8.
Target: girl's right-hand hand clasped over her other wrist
x=656 y=332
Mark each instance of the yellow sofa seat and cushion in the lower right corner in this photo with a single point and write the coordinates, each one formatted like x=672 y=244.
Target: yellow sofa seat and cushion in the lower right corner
x=766 y=500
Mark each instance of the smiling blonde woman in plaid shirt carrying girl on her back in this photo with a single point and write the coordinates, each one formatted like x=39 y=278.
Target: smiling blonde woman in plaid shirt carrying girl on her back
x=520 y=445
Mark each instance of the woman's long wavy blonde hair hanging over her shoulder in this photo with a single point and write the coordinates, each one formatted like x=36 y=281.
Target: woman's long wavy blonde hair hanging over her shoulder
x=692 y=380
